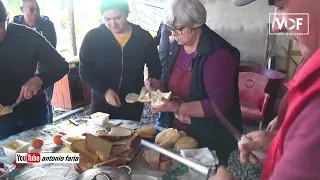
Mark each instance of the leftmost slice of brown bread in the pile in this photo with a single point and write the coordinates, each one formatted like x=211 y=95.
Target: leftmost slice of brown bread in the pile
x=79 y=146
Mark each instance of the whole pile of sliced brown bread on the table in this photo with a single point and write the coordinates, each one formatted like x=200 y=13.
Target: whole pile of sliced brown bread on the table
x=96 y=151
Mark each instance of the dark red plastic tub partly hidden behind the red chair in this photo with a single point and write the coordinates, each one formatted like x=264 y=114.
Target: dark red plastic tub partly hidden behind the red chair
x=275 y=80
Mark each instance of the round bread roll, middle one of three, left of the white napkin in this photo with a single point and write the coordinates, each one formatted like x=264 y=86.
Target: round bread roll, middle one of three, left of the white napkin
x=167 y=137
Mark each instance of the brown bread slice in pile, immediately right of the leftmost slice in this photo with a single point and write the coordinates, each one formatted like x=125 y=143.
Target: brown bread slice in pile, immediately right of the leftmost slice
x=100 y=146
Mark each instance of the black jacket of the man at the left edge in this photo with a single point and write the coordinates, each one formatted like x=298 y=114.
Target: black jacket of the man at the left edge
x=20 y=51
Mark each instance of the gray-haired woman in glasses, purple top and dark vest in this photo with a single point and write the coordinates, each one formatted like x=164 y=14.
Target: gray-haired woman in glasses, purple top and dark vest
x=201 y=68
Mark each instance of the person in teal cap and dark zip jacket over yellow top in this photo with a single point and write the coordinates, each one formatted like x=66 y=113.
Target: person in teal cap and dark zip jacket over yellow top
x=112 y=60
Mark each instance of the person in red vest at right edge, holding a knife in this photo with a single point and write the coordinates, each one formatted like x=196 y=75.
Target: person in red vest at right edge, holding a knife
x=292 y=152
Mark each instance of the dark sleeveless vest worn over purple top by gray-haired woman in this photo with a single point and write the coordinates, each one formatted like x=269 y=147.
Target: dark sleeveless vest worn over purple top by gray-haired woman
x=209 y=132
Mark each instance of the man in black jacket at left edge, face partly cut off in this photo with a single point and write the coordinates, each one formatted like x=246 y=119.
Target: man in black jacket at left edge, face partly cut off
x=18 y=81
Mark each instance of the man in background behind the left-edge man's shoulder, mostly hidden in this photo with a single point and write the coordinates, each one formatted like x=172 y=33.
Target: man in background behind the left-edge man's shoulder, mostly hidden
x=31 y=18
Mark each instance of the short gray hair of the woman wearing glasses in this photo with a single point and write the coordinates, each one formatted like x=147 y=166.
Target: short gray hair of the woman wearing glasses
x=192 y=13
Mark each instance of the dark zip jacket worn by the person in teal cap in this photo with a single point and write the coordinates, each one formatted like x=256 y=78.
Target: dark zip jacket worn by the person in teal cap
x=105 y=64
